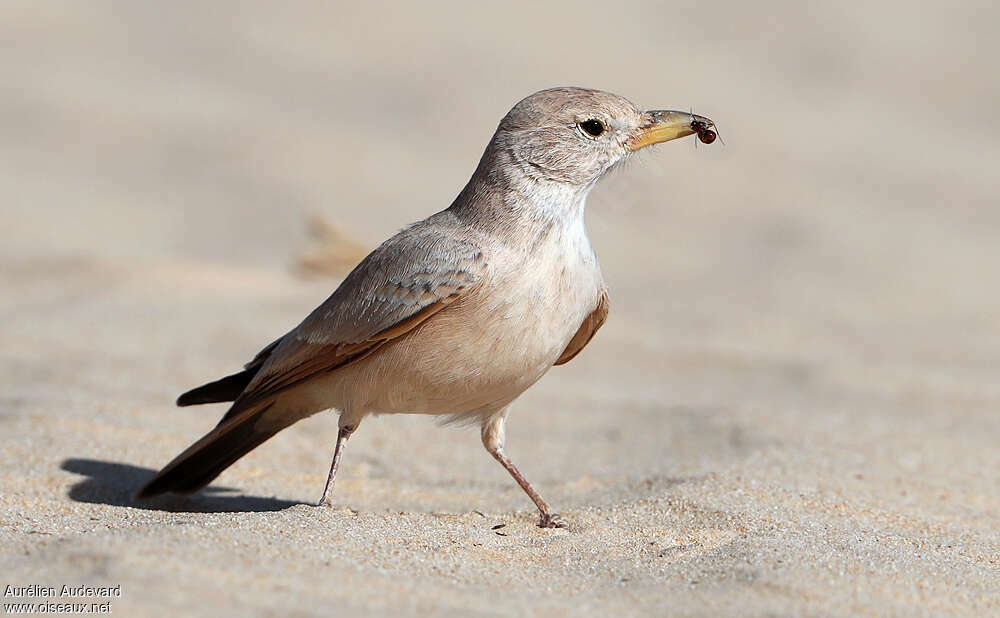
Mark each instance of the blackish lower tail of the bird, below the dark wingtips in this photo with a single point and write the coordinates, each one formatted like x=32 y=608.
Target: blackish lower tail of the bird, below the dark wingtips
x=207 y=458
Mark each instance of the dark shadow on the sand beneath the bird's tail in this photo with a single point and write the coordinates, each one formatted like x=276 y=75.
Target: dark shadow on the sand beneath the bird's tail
x=115 y=484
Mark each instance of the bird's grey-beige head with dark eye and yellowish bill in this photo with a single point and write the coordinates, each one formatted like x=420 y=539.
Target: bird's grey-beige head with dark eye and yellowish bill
x=574 y=135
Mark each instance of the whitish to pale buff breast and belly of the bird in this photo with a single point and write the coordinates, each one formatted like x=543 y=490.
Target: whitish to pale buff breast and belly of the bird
x=483 y=351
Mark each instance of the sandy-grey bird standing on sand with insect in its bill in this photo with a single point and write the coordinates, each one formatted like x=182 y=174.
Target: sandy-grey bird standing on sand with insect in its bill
x=455 y=315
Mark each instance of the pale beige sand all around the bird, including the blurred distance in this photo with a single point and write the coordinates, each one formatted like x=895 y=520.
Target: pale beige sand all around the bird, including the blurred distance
x=793 y=409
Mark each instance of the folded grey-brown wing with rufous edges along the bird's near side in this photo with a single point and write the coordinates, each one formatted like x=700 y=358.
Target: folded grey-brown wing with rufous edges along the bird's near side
x=412 y=276
